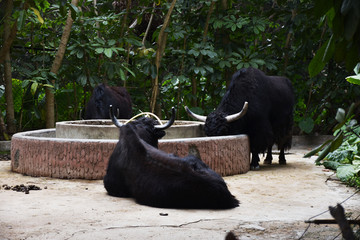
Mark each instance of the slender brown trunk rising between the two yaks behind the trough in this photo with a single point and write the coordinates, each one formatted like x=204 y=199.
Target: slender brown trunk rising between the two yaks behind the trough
x=159 y=52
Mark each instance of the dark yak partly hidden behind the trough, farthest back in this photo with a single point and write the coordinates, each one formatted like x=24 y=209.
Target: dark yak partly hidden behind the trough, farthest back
x=102 y=97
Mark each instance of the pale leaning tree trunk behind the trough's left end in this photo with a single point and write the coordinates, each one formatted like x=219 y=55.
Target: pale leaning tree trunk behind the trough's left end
x=49 y=92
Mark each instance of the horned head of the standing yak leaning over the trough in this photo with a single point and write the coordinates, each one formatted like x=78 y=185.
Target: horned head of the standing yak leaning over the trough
x=218 y=123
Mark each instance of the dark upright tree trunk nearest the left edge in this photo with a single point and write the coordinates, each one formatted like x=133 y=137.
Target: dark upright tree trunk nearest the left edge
x=10 y=117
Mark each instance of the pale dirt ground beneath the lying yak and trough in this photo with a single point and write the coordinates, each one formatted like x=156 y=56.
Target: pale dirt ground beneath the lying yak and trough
x=275 y=202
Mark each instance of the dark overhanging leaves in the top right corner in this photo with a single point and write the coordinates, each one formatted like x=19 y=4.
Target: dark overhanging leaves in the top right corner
x=343 y=20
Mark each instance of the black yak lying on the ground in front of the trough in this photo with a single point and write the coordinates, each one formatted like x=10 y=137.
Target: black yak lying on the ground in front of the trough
x=139 y=170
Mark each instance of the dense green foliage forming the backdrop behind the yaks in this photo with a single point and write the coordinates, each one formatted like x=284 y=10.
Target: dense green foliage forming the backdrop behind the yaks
x=276 y=37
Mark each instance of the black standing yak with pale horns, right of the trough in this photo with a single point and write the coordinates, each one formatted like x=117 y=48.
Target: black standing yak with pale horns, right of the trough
x=269 y=117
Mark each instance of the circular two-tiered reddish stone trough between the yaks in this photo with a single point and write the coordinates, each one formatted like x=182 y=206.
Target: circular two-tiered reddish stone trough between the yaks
x=48 y=153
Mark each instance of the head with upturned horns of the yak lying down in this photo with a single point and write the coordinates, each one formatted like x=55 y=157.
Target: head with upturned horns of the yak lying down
x=147 y=129
